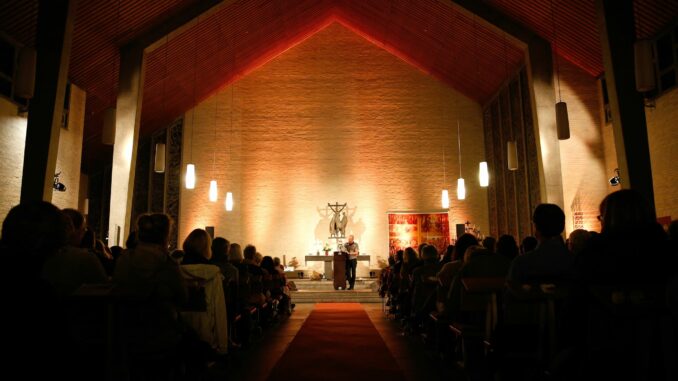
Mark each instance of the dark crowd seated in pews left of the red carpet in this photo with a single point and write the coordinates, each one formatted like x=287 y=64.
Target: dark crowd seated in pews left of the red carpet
x=144 y=313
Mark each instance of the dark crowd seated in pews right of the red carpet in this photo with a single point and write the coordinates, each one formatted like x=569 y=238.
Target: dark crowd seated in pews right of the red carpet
x=597 y=306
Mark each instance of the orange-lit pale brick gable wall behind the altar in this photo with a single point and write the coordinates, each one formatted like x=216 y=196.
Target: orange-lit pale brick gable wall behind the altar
x=334 y=119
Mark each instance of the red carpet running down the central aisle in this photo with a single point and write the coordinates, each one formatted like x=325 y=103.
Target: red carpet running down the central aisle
x=337 y=342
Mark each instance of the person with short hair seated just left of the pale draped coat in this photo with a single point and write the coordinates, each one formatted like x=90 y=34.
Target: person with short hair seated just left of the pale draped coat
x=152 y=289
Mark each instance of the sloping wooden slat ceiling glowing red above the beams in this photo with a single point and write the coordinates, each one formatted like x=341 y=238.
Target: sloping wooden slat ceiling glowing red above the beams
x=436 y=36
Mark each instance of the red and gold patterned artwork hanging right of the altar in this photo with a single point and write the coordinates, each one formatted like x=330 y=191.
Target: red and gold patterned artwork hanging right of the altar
x=412 y=229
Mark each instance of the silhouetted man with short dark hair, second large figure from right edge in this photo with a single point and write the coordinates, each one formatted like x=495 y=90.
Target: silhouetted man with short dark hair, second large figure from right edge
x=550 y=260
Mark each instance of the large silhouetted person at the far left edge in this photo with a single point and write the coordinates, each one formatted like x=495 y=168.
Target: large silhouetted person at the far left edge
x=34 y=318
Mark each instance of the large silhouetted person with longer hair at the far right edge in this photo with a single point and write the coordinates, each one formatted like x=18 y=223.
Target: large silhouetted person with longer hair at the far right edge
x=633 y=258
